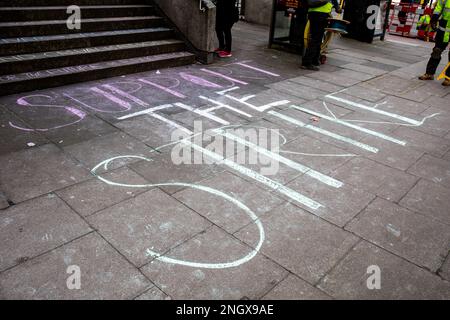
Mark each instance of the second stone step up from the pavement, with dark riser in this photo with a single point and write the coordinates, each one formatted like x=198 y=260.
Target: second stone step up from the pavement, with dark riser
x=57 y=59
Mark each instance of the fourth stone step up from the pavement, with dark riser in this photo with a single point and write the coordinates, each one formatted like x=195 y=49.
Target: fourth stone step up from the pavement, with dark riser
x=54 y=27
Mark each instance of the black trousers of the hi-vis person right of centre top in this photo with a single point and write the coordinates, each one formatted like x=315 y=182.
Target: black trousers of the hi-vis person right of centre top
x=318 y=21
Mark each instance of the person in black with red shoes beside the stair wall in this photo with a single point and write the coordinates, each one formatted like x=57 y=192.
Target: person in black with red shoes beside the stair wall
x=226 y=16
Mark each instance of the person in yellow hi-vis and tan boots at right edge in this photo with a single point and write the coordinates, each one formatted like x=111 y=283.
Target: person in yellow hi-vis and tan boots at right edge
x=441 y=21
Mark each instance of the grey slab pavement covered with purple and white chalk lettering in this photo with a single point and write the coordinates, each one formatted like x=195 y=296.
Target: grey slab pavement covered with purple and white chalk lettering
x=364 y=181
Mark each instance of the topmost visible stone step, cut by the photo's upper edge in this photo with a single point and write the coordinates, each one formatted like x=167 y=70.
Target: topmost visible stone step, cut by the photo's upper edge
x=30 y=3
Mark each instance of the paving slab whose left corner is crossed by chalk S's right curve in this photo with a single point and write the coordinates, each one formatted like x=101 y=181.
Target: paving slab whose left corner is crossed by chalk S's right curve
x=302 y=243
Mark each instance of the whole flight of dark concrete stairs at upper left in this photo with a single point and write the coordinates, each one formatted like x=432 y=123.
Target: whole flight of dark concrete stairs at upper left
x=117 y=37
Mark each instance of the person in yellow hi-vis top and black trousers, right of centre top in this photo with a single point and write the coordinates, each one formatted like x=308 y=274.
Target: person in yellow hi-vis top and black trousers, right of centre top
x=318 y=21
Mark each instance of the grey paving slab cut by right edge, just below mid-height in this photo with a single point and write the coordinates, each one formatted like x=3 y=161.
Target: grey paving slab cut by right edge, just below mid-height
x=429 y=199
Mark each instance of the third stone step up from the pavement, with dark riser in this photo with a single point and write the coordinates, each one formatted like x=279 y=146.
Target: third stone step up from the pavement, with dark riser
x=24 y=45
